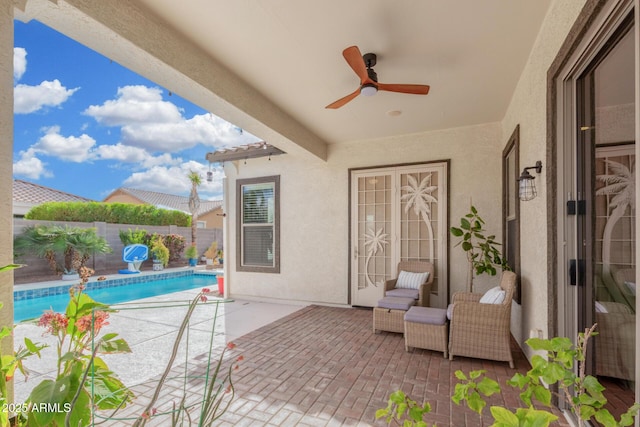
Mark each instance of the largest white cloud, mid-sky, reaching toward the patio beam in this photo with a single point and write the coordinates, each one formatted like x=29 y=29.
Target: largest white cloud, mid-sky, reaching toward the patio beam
x=156 y=125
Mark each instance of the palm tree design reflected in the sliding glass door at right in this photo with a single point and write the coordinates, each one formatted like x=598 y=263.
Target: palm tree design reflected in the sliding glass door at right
x=621 y=184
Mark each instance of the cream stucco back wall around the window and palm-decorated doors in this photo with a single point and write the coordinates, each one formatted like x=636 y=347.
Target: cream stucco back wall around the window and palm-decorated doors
x=315 y=207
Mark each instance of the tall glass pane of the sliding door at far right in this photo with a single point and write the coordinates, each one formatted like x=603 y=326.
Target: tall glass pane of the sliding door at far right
x=614 y=286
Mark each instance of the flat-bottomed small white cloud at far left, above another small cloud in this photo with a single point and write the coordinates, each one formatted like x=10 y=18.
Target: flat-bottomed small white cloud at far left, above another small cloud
x=28 y=99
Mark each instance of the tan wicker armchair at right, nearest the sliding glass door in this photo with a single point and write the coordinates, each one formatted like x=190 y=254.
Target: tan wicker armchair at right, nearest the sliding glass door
x=481 y=330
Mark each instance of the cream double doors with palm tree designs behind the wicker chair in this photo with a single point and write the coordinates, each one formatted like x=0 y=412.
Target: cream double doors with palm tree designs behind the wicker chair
x=397 y=214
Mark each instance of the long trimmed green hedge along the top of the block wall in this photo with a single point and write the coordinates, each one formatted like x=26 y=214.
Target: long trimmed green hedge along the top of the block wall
x=111 y=213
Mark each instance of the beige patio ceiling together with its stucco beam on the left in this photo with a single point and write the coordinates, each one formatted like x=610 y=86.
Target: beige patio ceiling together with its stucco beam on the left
x=273 y=65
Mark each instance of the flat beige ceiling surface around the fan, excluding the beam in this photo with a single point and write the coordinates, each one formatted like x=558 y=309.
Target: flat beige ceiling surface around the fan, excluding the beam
x=470 y=52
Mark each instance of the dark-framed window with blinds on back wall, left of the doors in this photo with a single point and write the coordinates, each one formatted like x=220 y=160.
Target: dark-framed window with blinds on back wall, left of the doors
x=258 y=235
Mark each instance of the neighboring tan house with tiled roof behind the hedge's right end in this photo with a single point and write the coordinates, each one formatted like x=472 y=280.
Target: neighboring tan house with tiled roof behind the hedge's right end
x=209 y=214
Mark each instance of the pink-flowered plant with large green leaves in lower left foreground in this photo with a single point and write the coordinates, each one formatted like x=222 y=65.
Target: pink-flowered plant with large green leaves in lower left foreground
x=83 y=380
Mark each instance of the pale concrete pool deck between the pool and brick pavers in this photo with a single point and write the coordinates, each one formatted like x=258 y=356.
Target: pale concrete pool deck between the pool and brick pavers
x=150 y=327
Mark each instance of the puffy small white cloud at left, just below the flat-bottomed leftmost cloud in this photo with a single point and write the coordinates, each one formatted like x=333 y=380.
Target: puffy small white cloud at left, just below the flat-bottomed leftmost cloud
x=68 y=148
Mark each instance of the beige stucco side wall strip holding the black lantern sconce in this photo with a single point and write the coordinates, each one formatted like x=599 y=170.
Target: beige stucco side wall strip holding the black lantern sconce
x=528 y=108
